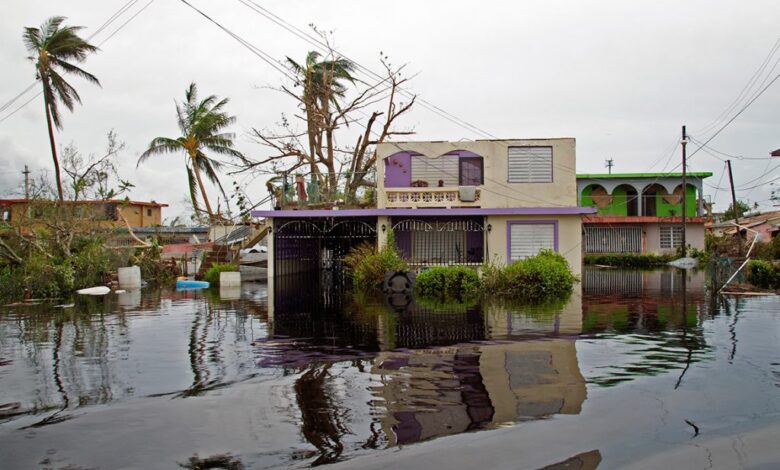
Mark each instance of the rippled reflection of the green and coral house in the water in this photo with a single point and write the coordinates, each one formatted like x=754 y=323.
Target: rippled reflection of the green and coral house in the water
x=654 y=319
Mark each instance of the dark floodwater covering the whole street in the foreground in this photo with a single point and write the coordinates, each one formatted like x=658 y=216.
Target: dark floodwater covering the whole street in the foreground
x=643 y=369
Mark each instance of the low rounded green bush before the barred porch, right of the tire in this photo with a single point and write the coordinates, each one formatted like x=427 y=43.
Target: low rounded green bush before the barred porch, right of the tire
x=448 y=283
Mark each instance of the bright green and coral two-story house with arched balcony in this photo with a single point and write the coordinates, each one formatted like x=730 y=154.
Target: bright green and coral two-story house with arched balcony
x=641 y=212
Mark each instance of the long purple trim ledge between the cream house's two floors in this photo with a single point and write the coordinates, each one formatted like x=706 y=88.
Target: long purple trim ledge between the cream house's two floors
x=425 y=212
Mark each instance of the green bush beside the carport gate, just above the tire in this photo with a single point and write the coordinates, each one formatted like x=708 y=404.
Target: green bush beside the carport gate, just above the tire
x=368 y=265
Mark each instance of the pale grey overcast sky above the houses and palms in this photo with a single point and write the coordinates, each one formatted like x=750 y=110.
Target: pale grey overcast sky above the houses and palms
x=619 y=76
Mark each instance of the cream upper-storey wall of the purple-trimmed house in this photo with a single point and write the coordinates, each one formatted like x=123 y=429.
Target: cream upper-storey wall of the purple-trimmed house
x=497 y=192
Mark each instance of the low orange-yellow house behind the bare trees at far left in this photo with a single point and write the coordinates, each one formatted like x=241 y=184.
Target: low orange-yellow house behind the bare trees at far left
x=107 y=213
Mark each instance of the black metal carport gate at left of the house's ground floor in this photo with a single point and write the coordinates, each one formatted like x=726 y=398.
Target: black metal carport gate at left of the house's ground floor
x=309 y=255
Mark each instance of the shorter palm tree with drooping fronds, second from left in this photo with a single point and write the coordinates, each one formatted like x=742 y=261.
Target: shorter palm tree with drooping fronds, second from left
x=201 y=124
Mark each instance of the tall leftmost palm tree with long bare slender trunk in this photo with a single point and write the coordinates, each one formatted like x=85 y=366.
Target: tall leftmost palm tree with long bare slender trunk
x=54 y=48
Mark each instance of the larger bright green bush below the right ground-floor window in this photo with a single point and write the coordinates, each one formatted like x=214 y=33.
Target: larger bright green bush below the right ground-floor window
x=534 y=279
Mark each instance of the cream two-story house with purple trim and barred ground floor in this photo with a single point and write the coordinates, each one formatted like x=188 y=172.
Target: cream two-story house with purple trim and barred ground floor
x=446 y=203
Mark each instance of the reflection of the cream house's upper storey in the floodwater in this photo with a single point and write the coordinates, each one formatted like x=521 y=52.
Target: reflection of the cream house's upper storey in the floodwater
x=433 y=393
